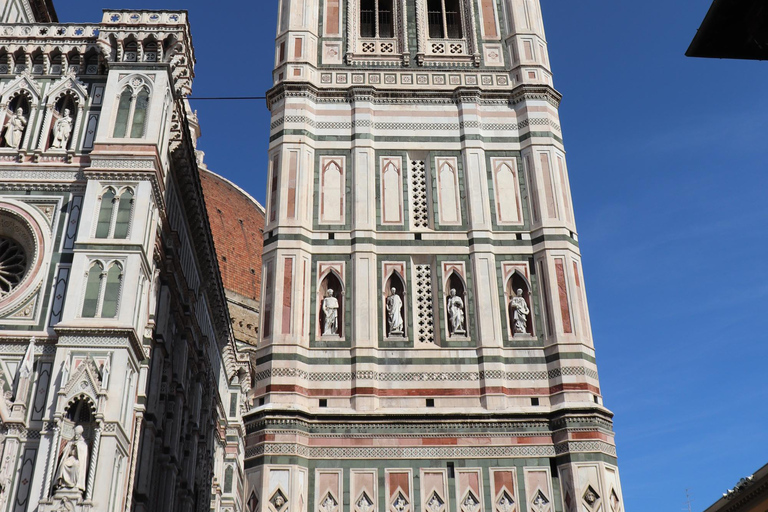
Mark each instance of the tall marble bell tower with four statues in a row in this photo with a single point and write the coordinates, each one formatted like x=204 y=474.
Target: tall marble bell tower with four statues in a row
x=426 y=343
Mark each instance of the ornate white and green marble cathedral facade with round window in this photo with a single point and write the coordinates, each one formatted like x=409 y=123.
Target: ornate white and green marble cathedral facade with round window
x=123 y=379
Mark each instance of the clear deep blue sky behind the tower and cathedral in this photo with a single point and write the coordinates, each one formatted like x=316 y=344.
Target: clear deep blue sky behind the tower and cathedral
x=667 y=158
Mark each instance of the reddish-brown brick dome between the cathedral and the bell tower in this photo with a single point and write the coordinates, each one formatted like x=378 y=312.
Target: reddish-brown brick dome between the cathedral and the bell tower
x=237 y=224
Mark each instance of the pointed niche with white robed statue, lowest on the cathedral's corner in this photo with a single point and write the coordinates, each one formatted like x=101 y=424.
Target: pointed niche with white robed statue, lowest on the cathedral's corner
x=71 y=477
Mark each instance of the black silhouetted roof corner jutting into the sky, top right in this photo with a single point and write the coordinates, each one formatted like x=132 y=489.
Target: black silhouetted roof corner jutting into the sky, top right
x=733 y=29
